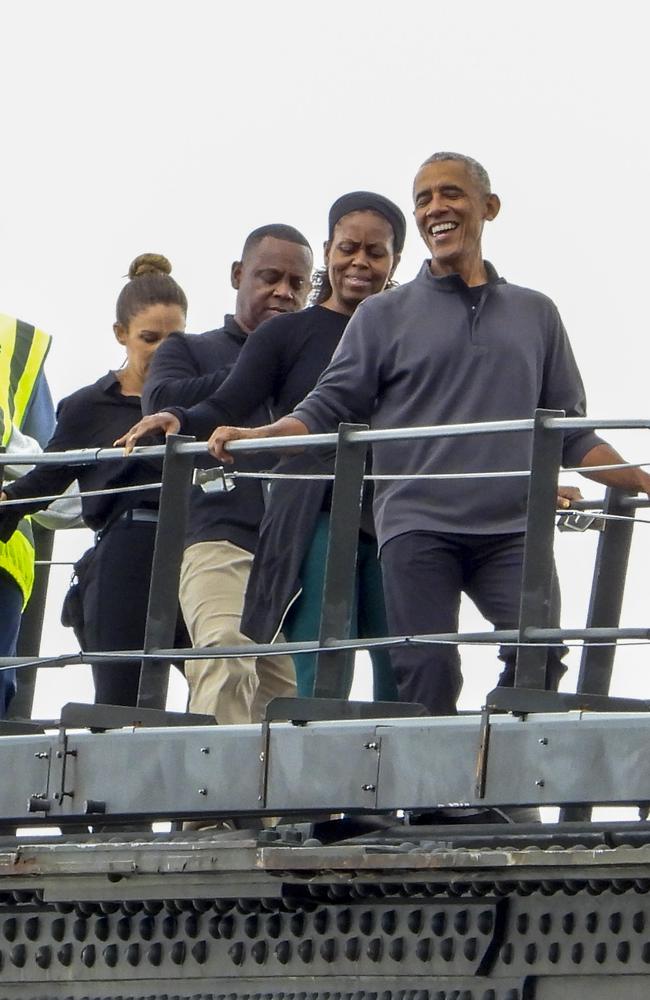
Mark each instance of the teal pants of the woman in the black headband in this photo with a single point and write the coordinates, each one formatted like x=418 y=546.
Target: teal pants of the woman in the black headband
x=369 y=616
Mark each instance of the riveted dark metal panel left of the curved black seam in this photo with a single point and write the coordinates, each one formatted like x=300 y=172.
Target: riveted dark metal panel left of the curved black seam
x=436 y=939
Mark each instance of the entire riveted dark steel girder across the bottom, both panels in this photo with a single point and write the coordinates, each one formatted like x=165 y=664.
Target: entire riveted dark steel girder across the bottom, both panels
x=546 y=940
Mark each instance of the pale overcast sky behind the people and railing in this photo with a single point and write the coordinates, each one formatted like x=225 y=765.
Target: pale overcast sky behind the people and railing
x=178 y=127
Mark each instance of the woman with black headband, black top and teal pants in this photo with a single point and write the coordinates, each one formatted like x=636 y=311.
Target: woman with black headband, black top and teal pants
x=281 y=362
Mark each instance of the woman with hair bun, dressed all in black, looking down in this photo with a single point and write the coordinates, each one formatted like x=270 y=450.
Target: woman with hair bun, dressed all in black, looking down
x=110 y=604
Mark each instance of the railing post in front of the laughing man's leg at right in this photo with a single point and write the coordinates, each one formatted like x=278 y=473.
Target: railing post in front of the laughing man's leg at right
x=537 y=577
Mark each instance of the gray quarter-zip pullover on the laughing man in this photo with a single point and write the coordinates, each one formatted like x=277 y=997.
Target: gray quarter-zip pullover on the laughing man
x=423 y=354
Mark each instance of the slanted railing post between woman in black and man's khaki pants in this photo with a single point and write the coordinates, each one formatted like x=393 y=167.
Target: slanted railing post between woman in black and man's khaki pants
x=162 y=610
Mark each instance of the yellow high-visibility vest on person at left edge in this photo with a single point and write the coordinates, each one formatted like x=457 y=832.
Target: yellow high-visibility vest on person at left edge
x=23 y=350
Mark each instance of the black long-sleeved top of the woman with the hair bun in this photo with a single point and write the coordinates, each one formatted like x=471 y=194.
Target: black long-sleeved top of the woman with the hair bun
x=92 y=417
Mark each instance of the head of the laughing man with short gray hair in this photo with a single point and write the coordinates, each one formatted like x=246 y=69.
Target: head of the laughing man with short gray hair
x=450 y=209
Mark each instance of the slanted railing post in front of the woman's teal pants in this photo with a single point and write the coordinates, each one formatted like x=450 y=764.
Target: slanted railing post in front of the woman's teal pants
x=333 y=668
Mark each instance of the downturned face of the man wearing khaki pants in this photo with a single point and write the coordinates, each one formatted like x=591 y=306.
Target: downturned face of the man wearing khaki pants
x=273 y=278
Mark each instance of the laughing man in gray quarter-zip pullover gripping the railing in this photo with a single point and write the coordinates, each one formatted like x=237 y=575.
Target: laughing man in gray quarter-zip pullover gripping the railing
x=457 y=344
